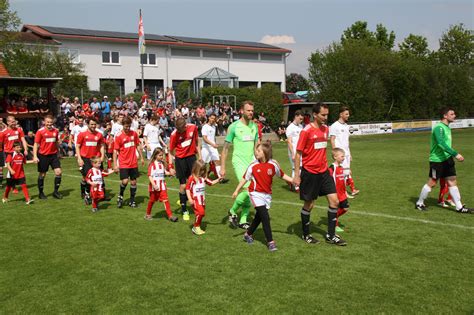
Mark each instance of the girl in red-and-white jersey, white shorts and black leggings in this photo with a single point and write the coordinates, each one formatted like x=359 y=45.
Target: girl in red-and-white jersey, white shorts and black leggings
x=260 y=174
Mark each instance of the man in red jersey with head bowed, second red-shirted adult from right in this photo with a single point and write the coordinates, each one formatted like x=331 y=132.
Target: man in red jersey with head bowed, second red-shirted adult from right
x=184 y=145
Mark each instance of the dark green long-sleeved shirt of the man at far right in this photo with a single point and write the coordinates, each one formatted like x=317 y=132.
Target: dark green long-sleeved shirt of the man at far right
x=441 y=143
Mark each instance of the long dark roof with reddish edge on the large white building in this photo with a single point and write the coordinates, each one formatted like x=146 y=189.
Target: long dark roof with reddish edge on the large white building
x=58 y=33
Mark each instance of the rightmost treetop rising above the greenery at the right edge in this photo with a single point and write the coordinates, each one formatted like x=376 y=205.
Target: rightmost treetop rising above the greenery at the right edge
x=456 y=46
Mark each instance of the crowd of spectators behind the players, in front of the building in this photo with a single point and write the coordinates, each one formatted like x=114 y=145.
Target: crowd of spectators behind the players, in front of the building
x=106 y=111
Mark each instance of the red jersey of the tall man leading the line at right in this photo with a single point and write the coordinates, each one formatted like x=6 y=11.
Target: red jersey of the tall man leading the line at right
x=312 y=144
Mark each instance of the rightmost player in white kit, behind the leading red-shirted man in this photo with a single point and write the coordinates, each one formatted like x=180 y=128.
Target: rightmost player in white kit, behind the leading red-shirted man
x=339 y=134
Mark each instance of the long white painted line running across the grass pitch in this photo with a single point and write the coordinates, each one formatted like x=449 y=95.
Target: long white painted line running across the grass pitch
x=363 y=213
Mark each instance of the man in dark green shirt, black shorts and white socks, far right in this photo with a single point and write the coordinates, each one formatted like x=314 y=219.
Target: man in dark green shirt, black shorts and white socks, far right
x=442 y=162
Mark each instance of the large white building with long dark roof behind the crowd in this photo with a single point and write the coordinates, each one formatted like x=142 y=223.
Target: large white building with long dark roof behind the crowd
x=169 y=60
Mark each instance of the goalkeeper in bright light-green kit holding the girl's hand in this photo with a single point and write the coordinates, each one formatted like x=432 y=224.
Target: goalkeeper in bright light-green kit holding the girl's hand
x=243 y=135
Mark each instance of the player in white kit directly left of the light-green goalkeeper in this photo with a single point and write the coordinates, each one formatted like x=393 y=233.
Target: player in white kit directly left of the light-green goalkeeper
x=209 y=153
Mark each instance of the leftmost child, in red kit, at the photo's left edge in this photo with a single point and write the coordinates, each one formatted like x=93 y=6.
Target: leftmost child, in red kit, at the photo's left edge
x=16 y=173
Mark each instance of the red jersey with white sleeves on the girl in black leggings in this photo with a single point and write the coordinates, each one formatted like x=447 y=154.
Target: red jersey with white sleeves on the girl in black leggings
x=261 y=175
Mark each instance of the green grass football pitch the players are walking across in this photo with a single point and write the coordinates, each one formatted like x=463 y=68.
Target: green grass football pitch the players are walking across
x=58 y=257
